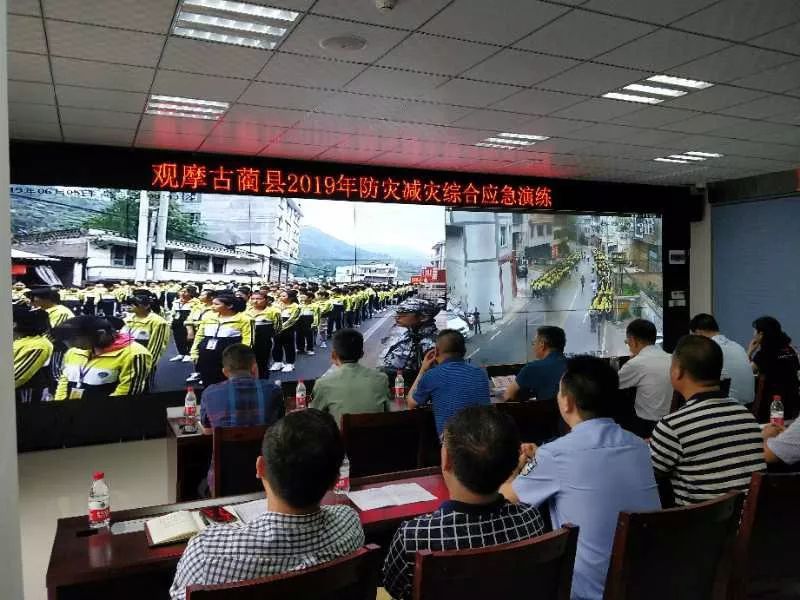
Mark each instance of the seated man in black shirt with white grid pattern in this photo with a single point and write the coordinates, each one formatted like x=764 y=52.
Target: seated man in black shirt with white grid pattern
x=480 y=450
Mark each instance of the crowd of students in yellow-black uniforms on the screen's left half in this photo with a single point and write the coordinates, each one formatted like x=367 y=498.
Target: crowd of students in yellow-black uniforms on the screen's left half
x=104 y=341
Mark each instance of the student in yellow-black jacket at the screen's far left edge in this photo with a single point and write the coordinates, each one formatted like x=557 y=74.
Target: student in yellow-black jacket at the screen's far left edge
x=32 y=351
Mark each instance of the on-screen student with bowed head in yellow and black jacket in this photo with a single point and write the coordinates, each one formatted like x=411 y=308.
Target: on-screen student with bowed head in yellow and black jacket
x=101 y=362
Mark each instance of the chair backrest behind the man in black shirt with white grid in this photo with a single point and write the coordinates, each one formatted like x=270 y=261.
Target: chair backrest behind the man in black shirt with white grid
x=542 y=565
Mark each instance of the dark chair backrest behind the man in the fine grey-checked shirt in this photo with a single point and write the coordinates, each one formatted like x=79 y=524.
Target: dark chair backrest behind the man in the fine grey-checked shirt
x=351 y=577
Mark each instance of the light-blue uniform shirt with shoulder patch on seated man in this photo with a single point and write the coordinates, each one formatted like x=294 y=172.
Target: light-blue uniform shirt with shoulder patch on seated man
x=587 y=478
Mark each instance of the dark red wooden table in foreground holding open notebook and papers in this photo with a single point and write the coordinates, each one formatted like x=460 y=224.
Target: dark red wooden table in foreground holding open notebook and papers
x=89 y=565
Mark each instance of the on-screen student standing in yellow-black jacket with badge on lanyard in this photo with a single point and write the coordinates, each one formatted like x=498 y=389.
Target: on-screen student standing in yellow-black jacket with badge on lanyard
x=224 y=325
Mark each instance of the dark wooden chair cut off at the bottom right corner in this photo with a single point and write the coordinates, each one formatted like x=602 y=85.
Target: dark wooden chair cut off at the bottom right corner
x=767 y=553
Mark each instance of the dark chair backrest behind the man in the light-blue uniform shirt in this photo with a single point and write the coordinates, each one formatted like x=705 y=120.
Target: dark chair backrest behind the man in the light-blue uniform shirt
x=679 y=553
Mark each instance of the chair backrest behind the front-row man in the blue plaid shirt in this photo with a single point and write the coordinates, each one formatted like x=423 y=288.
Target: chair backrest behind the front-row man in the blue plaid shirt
x=234 y=460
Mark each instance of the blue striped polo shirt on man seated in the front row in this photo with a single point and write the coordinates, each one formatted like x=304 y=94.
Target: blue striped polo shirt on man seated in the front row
x=451 y=386
